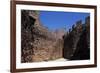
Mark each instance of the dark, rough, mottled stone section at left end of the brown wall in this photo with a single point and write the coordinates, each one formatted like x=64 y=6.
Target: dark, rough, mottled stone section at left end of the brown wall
x=26 y=37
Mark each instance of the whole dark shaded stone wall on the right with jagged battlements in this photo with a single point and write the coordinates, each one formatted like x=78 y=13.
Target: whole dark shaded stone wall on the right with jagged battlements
x=77 y=41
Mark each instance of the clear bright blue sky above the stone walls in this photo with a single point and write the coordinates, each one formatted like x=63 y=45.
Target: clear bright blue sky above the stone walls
x=57 y=20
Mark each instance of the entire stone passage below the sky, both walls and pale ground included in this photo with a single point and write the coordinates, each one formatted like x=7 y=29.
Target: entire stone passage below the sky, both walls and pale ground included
x=40 y=44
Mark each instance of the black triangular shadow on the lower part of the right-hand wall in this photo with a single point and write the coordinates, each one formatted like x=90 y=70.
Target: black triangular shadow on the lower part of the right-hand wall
x=83 y=51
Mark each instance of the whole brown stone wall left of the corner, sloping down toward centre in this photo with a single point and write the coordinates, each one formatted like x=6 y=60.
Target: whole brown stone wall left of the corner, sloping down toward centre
x=37 y=42
